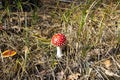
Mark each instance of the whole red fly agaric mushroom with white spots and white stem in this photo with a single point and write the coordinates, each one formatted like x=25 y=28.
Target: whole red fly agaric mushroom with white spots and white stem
x=58 y=40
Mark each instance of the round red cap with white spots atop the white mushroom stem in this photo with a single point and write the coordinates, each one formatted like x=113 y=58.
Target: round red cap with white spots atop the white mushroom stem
x=58 y=39
